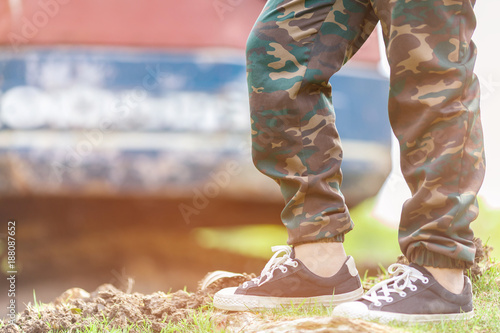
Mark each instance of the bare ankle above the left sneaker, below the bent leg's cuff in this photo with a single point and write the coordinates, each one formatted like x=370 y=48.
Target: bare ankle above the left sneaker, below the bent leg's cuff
x=323 y=259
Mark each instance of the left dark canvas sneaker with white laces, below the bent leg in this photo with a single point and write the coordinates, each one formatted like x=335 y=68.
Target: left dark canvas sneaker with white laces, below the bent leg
x=285 y=280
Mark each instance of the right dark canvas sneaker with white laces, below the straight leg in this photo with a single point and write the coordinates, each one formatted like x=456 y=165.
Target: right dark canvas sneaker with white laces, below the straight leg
x=412 y=295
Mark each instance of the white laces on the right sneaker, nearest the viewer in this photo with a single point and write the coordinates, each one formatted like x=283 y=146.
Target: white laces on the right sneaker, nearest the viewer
x=405 y=276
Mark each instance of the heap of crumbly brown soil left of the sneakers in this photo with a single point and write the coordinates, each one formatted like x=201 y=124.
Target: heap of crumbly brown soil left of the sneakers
x=76 y=309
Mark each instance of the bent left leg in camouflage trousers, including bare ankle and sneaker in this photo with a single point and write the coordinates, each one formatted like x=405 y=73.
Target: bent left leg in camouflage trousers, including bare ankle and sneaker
x=293 y=50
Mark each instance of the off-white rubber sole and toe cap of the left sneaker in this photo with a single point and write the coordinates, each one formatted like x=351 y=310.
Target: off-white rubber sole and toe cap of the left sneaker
x=226 y=299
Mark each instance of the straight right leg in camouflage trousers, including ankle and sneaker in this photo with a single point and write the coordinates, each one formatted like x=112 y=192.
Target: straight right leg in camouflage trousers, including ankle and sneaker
x=434 y=112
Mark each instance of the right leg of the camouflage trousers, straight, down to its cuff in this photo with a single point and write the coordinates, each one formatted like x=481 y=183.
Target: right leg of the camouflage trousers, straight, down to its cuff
x=434 y=112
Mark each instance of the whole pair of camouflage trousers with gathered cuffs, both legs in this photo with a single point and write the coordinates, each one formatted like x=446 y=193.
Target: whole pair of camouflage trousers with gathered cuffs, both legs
x=294 y=49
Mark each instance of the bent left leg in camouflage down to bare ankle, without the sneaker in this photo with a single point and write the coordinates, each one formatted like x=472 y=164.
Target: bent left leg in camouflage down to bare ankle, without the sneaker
x=293 y=50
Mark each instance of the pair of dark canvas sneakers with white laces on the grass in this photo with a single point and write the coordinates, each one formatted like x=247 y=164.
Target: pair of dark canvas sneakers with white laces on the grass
x=410 y=295
